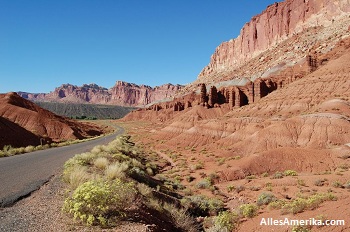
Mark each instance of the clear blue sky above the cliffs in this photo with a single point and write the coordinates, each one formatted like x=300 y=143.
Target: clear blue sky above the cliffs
x=46 y=43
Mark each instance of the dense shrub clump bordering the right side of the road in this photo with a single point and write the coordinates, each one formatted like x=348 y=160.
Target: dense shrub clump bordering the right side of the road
x=113 y=182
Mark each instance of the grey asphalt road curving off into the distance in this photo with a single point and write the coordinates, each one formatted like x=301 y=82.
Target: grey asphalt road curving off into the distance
x=22 y=174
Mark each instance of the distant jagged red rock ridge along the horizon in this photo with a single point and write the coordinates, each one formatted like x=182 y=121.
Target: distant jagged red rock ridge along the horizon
x=122 y=93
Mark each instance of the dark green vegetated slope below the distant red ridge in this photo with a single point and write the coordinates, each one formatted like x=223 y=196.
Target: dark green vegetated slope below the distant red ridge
x=86 y=111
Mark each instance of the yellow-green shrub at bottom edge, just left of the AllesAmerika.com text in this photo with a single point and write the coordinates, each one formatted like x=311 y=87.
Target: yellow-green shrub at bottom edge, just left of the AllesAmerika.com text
x=226 y=221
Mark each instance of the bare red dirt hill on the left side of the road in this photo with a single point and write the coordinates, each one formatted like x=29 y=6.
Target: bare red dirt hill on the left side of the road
x=23 y=123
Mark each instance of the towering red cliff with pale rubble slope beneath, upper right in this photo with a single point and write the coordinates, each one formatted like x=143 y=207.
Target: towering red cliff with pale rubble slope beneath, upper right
x=302 y=24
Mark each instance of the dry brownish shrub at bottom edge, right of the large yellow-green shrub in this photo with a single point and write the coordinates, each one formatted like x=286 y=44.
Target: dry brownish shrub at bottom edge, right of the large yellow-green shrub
x=181 y=218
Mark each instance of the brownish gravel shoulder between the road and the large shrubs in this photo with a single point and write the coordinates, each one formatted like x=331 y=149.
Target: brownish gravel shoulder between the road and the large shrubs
x=41 y=211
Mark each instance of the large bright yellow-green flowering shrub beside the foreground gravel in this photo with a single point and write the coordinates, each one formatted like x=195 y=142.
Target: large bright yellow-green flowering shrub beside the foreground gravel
x=95 y=201
